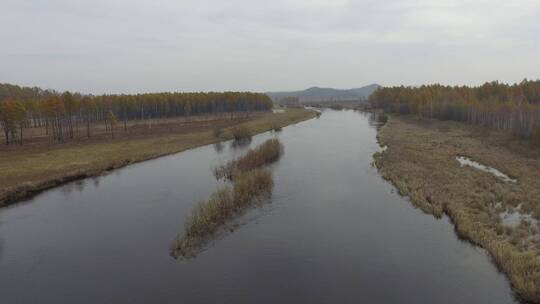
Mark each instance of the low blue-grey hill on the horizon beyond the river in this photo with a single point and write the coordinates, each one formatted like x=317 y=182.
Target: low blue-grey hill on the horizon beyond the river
x=315 y=94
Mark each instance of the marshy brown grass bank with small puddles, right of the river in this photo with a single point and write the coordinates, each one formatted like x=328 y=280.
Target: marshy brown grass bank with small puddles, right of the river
x=498 y=214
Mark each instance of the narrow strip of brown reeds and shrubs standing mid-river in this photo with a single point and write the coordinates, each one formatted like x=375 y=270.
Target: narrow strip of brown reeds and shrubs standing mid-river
x=250 y=184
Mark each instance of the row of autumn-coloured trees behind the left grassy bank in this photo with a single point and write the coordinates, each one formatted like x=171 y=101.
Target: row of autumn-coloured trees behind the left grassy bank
x=64 y=114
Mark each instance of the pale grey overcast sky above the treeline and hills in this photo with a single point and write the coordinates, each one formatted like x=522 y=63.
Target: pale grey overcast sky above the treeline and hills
x=115 y=46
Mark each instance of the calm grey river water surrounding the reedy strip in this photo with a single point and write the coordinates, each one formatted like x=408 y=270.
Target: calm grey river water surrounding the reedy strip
x=334 y=232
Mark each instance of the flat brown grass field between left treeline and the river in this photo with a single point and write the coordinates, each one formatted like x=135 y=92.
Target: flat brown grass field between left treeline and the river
x=38 y=165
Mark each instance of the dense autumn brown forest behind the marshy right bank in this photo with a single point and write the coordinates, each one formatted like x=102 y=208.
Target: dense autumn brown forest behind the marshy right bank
x=514 y=108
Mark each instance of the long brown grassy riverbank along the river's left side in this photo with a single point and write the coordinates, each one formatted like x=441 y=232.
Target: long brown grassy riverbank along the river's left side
x=25 y=172
